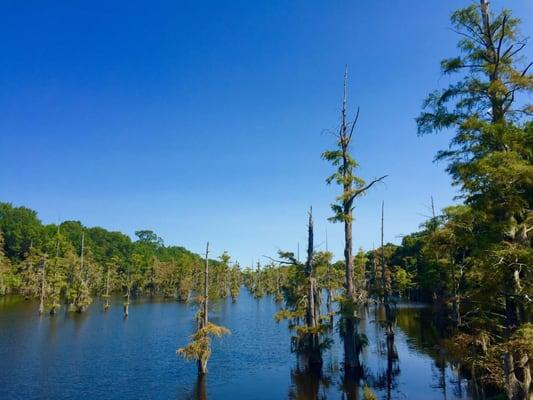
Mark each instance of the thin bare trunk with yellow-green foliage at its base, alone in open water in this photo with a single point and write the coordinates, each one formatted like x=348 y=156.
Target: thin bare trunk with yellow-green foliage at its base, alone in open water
x=199 y=348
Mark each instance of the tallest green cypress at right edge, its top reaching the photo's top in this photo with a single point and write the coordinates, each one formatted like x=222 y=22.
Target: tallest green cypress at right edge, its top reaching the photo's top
x=490 y=159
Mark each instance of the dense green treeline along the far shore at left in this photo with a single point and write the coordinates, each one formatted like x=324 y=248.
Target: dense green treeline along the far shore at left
x=69 y=264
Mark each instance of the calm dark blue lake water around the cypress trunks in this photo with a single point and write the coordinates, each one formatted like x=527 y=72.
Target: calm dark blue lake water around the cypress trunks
x=99 y=355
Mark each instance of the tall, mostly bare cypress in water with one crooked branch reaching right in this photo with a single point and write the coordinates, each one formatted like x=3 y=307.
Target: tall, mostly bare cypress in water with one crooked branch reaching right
x=352 y=188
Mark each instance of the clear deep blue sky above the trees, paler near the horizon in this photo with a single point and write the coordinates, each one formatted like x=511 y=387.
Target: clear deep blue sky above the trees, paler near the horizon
x=205 y=120
